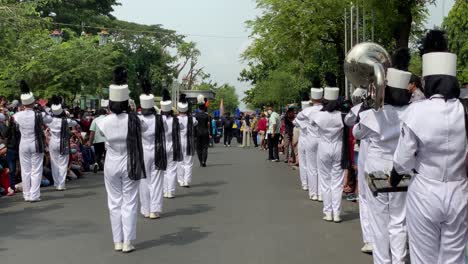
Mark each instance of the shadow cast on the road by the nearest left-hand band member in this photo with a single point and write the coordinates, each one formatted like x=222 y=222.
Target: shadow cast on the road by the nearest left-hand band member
x=186 y=235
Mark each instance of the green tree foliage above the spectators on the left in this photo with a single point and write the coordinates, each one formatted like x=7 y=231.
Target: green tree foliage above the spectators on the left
x=78 y=65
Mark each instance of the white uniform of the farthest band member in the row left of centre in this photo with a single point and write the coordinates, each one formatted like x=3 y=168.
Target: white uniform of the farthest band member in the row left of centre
x=184 y=173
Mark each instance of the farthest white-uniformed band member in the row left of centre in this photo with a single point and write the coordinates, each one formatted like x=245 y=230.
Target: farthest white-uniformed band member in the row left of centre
x=187 y=126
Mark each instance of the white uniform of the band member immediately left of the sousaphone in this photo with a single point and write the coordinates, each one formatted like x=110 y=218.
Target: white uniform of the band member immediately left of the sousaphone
x=329 y=153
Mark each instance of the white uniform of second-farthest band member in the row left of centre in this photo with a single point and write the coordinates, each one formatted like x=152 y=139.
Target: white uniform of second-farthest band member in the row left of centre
x=170 y=175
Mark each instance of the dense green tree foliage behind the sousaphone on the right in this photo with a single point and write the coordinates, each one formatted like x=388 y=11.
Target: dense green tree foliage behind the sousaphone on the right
x=298 y=40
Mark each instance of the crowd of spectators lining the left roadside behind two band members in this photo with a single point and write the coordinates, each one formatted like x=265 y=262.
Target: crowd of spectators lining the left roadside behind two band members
x=82 y=152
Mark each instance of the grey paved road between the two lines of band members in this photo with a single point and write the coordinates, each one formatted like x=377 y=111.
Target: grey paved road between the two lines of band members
x=241 y=209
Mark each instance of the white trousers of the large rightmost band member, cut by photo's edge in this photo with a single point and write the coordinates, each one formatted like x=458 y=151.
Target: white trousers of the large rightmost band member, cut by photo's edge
x=437 y=215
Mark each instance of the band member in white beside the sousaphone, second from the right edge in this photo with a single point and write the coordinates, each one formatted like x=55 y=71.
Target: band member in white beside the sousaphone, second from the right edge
x=382 y=129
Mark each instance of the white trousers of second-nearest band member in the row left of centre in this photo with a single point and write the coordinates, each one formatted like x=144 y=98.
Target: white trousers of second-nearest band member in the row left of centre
x=151 y=188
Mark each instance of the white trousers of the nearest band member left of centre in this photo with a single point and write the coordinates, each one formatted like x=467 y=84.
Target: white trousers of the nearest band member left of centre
x=122 y=199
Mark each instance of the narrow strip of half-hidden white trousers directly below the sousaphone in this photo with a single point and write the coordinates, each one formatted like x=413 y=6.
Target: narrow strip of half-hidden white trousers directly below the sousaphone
x=364 y=192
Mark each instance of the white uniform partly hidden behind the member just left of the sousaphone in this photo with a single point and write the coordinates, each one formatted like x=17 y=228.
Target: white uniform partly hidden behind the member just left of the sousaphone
x=308 y=147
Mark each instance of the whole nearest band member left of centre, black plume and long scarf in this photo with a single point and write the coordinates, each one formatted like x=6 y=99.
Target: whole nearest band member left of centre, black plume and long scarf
x=124 y=165
